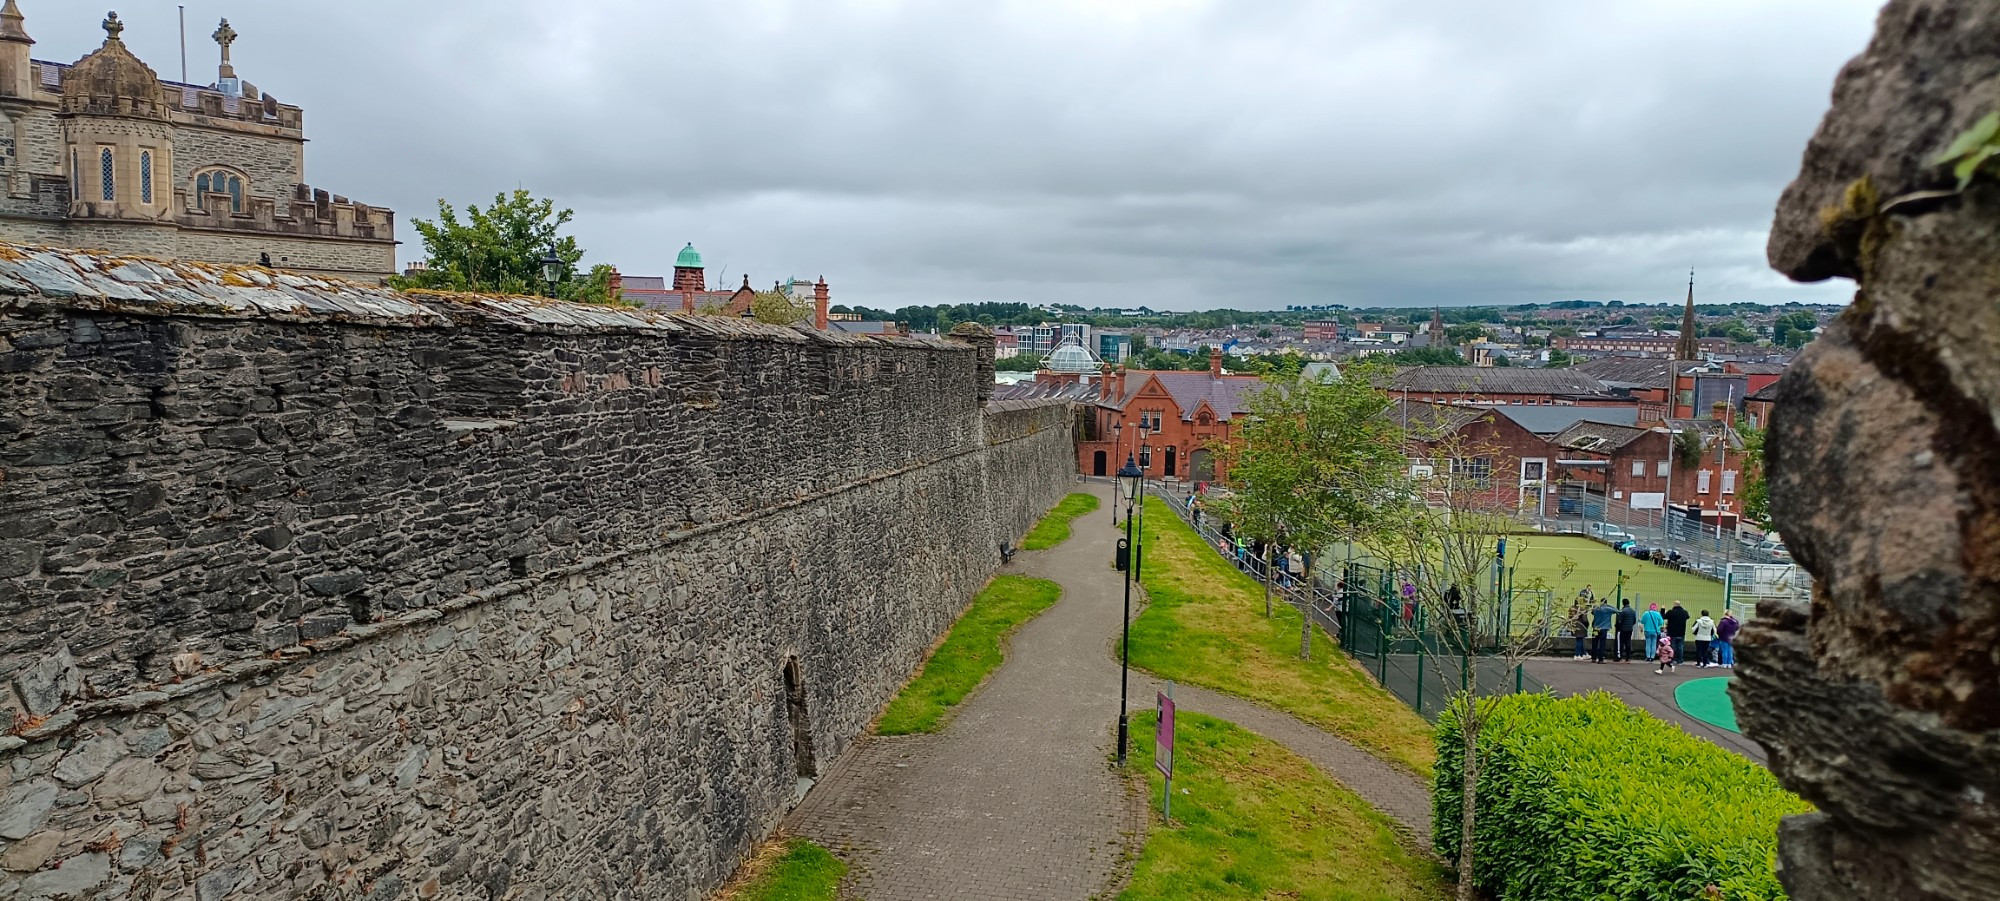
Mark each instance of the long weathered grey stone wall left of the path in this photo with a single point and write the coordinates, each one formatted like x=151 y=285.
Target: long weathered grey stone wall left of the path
x=315 y=592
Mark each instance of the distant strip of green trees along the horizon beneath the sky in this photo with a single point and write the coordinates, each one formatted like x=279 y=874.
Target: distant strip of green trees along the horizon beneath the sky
x=943 y=317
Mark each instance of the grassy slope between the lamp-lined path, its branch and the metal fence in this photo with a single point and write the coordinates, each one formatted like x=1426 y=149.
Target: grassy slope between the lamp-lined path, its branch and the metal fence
x=1207 y=626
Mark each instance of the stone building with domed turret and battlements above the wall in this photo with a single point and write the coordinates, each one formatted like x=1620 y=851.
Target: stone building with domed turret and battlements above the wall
x=105 y=155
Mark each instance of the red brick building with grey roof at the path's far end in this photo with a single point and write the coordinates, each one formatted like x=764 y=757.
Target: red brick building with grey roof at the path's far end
x=1183 y=413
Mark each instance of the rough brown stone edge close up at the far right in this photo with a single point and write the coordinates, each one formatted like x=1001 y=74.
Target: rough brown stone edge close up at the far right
x=1881 y=704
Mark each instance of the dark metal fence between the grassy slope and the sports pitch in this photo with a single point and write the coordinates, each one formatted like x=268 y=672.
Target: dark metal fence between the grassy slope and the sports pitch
x=1363 y=610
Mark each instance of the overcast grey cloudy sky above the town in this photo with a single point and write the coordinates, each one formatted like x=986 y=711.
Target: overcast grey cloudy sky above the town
x=1111 y=153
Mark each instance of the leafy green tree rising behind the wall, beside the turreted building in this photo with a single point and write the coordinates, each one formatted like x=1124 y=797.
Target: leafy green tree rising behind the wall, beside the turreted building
x=499 y=251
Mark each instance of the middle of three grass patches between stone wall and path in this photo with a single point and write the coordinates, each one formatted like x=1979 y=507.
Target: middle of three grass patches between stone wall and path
x=967 y=654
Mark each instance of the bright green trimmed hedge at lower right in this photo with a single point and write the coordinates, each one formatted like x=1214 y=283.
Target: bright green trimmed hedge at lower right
x=1589 y=798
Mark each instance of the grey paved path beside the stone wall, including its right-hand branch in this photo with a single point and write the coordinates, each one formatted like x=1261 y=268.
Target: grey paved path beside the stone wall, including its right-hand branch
x=1017 y=798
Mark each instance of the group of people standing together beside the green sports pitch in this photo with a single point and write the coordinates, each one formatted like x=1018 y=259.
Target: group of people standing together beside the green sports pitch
x=1609 y=632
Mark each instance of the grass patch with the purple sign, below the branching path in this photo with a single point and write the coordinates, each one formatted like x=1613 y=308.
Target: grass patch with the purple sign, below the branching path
x=1255 y=822
